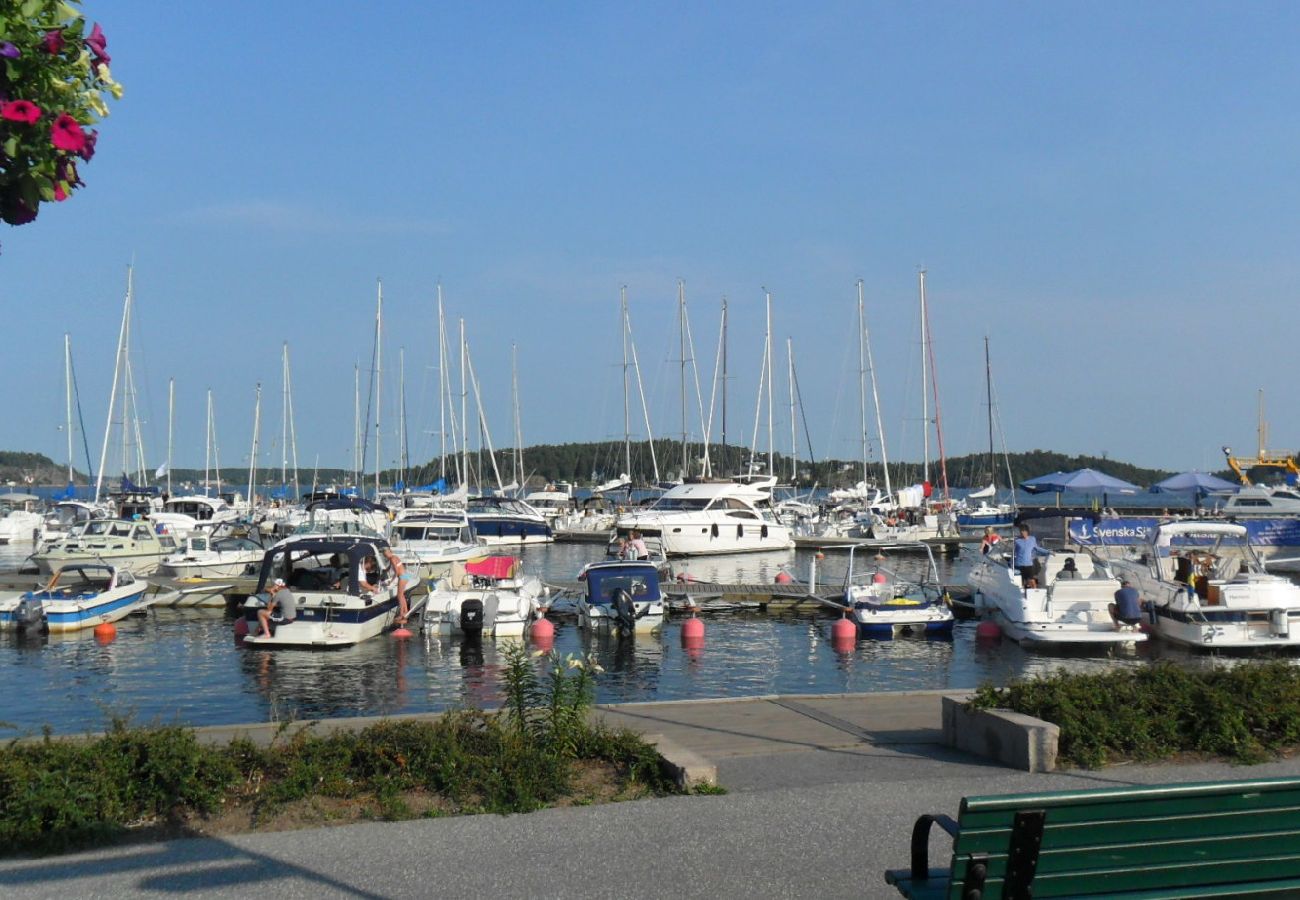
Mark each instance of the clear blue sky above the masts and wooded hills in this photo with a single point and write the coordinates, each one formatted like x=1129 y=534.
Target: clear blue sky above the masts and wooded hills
x=1107 y=191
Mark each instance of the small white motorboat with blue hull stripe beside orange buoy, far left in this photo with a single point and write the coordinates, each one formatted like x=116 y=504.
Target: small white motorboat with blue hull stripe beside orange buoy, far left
x=79 y=596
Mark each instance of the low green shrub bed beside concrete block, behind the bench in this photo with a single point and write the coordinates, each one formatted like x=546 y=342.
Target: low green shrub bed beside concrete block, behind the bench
x=1246 y=713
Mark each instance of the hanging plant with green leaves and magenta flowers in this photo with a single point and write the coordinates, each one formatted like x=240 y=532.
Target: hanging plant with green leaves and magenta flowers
x=54 y=88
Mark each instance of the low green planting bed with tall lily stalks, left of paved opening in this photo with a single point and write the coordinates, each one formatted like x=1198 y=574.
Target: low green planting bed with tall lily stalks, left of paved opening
x=543 y=751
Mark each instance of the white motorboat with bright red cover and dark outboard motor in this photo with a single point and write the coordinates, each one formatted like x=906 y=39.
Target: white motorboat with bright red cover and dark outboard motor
x=484 y=598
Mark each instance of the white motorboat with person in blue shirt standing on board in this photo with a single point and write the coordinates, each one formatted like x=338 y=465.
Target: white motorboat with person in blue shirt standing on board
x=1072 y=607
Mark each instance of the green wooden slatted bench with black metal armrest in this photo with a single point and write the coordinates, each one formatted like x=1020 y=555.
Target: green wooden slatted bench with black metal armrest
x=1210 y=840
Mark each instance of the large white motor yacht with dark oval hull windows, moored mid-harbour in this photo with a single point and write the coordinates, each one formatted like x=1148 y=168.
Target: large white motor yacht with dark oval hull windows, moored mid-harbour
x=712 y=517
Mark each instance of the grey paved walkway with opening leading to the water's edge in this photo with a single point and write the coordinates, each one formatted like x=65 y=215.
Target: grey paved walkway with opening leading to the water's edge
x=822 y=797
